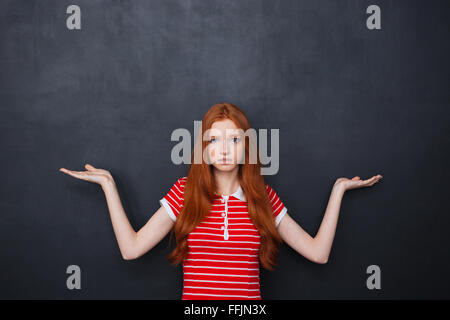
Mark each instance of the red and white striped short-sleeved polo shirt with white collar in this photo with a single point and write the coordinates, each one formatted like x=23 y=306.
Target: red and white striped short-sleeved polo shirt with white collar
x=222 y=260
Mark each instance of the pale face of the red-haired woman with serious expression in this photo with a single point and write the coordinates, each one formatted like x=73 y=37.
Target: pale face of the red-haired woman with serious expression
x=226 y=146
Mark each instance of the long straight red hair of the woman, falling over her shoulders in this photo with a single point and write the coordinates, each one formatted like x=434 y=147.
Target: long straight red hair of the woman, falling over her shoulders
x=200 y=188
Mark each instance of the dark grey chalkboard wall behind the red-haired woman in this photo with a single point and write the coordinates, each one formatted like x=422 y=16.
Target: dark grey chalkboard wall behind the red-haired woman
x=347 y=100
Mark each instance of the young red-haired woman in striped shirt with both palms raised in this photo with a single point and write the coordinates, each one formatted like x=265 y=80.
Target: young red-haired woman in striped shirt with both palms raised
x=225 y=218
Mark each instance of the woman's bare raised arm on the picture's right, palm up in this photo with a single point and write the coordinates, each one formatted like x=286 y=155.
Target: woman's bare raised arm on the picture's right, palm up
x=318 y=249
